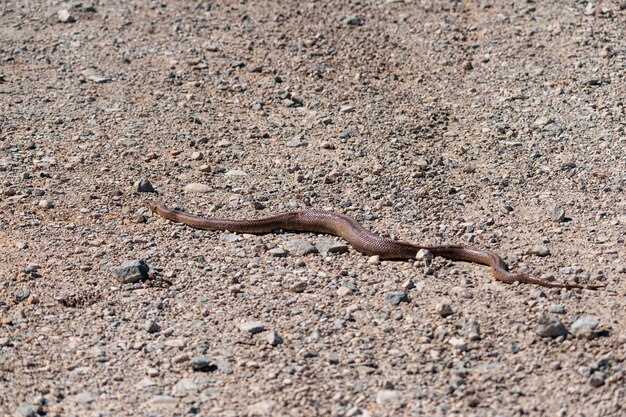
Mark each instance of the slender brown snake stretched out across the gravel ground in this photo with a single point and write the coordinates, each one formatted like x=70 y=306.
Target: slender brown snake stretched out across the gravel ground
x=356 y=235
